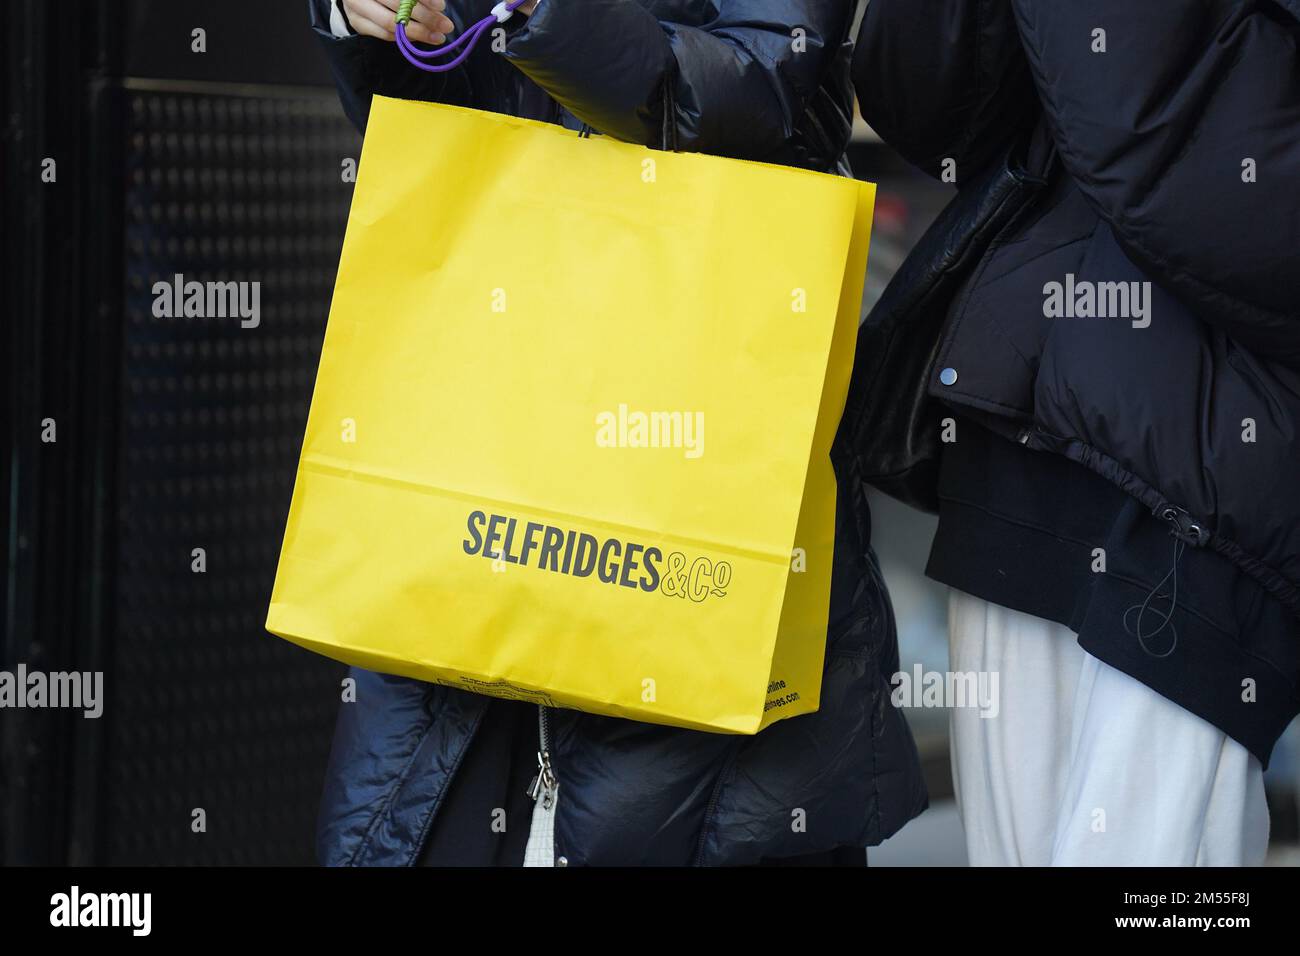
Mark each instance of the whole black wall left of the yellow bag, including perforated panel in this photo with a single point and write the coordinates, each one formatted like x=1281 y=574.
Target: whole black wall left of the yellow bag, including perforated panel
x=172 y=434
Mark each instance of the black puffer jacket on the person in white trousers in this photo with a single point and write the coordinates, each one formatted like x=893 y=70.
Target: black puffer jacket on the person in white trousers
x=1176 y=129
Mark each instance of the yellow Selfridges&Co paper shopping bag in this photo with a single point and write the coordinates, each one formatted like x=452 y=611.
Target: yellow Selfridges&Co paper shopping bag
x=570 y=440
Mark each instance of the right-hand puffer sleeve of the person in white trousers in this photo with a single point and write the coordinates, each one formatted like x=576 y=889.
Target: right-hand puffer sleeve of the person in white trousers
x=1159 y=129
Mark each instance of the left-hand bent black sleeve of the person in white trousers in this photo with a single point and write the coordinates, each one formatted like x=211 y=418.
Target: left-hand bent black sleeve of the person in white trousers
x=943 y=80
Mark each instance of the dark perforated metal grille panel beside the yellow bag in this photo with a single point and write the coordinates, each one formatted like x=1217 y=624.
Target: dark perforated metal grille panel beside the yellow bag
x=210 y=712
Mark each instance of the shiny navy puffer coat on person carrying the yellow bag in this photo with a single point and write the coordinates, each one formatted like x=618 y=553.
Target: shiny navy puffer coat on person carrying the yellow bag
x=631 y=793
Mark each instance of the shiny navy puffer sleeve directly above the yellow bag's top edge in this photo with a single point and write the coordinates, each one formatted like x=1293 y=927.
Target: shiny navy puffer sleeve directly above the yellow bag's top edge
x=740 y=83
